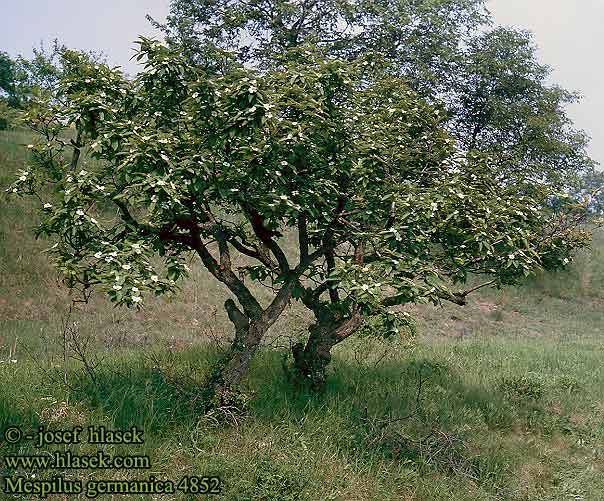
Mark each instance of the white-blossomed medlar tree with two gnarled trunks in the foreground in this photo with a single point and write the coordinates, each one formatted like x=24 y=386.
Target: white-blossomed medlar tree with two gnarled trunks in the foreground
x=385 y=209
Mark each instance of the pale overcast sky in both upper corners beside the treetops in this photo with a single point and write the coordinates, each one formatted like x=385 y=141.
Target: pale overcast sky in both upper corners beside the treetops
x=568 y=32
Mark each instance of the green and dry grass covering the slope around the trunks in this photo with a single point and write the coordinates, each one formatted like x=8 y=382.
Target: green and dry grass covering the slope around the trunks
x=501 y=399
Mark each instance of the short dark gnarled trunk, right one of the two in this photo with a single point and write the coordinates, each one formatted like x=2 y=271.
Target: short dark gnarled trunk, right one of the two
x=311 y=360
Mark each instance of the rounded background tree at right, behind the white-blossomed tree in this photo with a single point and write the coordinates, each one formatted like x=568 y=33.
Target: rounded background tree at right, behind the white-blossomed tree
x=502 y=106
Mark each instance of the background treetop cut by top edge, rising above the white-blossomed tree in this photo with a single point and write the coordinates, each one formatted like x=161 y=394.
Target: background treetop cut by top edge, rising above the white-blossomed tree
x=419 y=36
